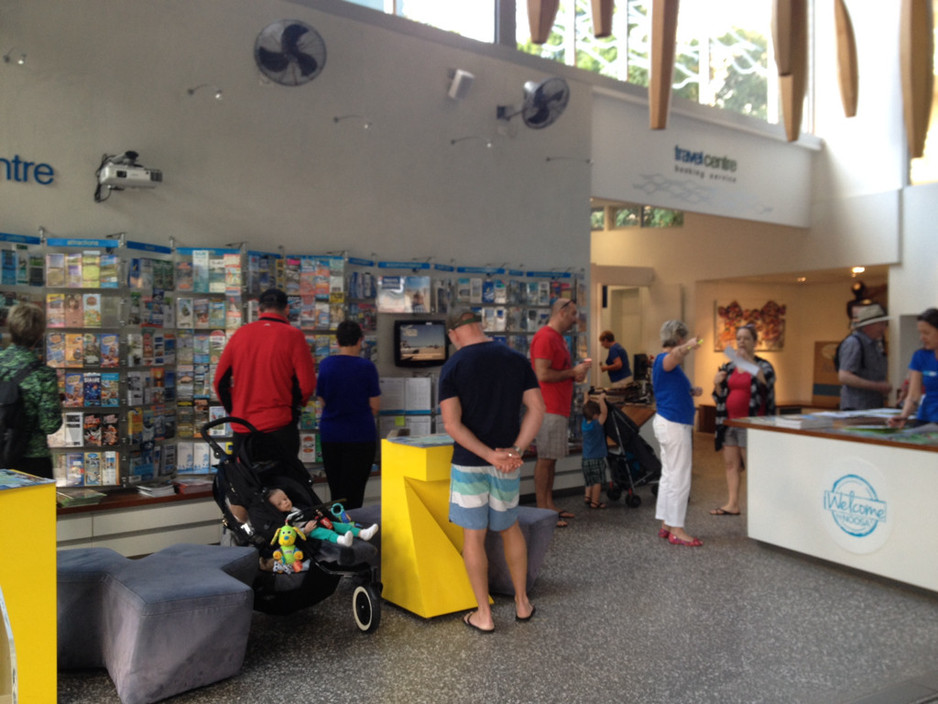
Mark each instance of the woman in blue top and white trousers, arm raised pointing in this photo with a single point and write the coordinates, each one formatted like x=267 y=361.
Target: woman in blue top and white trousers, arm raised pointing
x=674 y=424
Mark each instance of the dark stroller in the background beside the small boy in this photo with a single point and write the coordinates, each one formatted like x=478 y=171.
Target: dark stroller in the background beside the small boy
x=633 y=463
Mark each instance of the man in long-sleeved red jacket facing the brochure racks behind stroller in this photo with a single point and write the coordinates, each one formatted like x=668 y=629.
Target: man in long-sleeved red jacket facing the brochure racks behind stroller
x=265 y=375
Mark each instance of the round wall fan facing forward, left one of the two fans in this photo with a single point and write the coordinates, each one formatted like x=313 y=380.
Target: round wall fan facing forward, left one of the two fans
x=290 y=52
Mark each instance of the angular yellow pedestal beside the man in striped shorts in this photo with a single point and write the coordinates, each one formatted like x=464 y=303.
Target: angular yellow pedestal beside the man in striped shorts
x=421 y=551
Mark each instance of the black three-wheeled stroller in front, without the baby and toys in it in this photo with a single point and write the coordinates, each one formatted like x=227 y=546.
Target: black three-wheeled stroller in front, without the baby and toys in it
x=239 y=482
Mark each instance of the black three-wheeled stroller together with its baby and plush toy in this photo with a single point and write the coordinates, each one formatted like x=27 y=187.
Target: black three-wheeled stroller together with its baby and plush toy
x=243 y=489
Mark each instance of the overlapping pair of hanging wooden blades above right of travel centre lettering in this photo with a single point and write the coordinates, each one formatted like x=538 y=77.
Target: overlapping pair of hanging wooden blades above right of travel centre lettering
x=790 y=34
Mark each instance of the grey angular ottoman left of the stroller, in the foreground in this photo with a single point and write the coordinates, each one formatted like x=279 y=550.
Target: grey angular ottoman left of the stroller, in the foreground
x=161 y=625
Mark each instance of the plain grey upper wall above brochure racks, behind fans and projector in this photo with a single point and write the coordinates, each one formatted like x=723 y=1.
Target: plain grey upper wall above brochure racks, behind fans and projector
x=267 y=164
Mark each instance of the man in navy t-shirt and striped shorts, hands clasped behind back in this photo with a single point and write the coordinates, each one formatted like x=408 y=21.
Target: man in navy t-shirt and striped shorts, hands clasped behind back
x=483 y=388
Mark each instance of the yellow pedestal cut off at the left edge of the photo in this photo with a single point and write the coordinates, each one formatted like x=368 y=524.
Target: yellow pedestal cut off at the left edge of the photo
x=27 y=577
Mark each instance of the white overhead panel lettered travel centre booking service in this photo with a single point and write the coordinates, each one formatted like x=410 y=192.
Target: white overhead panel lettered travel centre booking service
x=699 y=166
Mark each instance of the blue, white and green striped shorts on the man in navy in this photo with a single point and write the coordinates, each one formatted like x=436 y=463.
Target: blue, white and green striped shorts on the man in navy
x=482 y=497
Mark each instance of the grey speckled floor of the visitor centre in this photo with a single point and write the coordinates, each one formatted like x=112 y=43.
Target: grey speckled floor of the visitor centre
x=622 y=616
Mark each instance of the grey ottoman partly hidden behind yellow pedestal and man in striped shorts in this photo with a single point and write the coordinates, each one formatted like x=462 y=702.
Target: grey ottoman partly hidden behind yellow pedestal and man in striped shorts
x=537 y=526
